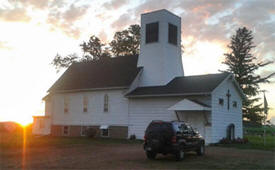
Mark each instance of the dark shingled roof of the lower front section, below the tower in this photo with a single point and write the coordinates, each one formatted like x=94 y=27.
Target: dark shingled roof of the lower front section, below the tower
x=187 y=85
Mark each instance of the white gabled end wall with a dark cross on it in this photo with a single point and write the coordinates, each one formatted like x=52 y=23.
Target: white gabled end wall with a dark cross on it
x=221 y=116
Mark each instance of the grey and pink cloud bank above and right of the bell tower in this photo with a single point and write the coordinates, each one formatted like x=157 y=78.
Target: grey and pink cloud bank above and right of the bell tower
x=217 y=21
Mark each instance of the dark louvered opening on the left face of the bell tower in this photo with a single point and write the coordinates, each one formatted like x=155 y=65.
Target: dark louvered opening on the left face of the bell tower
x=148 y=32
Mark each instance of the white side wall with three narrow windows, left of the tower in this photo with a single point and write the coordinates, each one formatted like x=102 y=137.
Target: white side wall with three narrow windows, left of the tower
x=117 y=113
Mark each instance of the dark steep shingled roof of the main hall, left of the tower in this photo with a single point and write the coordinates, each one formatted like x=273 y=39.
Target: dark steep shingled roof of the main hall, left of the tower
x=104 y=73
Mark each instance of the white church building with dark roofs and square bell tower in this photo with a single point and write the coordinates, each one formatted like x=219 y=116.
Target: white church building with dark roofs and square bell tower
x=120 y=96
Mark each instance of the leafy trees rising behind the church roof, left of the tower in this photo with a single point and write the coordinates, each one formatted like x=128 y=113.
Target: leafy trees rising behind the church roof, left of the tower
x=125 y=42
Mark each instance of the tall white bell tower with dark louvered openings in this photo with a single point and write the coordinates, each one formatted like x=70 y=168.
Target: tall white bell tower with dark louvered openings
x=160 y=48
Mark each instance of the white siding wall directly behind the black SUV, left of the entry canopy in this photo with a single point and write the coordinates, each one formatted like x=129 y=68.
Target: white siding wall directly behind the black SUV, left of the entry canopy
x=143 y=111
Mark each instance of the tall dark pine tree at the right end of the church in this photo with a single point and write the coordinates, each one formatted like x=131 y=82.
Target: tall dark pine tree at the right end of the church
x=243 y=65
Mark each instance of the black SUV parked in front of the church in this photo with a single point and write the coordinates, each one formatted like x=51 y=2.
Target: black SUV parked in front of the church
x=174 y=137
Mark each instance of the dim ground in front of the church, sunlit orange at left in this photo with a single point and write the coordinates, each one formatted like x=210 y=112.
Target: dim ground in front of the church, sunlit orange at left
x=86 y=153
